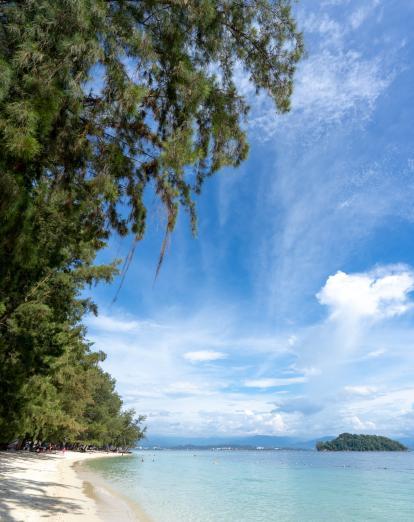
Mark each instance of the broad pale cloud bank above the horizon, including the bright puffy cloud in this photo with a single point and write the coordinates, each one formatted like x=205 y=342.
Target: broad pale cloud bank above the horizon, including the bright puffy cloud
x=323 y=381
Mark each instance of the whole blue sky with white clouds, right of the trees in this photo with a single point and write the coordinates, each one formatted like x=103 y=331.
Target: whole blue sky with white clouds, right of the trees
x=291 y=312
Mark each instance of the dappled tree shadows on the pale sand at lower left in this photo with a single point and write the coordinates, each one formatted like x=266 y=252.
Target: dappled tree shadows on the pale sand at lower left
x=24 y=493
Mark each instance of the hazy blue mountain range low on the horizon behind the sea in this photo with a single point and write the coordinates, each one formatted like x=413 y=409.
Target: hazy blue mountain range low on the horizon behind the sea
x=248 y=442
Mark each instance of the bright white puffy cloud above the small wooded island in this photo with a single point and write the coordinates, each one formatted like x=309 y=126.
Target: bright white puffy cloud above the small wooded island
x=378 y=294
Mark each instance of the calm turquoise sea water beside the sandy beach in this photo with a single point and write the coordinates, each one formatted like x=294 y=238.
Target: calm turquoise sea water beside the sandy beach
x=262 y=486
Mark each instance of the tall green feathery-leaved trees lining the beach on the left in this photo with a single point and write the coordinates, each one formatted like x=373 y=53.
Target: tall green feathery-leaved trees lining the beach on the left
x=101 y=101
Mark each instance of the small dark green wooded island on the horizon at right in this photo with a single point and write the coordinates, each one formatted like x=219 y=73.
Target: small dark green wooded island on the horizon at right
x=351 y=442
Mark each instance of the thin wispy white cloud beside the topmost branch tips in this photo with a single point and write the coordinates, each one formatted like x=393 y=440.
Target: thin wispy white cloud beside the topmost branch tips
x=335 y=83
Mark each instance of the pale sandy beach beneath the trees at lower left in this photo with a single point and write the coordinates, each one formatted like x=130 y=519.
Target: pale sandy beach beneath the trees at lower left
x=36 y=487
